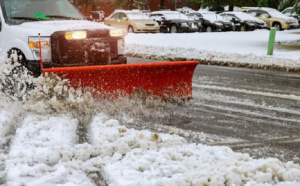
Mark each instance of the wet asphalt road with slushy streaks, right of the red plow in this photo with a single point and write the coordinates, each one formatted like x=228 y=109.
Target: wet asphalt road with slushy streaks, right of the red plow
x=252 y=111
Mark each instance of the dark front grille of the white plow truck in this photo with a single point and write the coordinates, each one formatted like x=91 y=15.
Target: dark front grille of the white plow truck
x=96 y=49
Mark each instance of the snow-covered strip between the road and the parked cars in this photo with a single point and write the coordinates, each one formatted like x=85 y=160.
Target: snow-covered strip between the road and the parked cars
x=230 y=48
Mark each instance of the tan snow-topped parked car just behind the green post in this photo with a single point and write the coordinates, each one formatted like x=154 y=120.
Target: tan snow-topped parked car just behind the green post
x=272 y=17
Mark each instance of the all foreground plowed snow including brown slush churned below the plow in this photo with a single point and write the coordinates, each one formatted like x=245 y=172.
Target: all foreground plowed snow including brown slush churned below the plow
x=41 y=136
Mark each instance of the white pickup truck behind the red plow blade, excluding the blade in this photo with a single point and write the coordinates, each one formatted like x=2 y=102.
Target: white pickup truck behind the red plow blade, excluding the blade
x=60 y=32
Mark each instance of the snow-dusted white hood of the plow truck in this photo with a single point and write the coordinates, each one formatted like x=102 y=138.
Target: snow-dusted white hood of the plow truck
x=47 y=28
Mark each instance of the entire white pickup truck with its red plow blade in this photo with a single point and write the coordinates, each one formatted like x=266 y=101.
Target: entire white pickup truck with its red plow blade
x=52 y=36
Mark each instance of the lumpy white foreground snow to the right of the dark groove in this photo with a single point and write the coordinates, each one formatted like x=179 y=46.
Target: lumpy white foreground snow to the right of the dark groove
x=145 y=158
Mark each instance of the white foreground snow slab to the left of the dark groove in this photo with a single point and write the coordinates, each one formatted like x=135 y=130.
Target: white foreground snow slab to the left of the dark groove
x=39 y=152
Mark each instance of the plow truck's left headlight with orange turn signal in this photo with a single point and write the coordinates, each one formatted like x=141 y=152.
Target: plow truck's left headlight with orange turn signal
x=34 y=44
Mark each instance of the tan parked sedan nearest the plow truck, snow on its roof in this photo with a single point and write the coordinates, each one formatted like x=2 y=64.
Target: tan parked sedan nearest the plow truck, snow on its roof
x=133 y=21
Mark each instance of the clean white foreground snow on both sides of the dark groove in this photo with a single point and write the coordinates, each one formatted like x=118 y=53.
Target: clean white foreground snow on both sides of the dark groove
x=45 y=152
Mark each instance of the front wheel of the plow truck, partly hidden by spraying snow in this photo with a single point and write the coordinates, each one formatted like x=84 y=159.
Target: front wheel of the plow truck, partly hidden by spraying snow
x=17 y=81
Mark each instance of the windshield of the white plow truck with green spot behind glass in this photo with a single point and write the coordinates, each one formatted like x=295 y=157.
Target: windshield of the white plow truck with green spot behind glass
x=19 y=11
